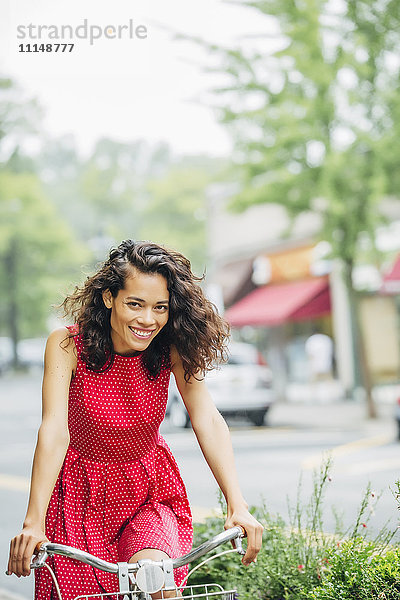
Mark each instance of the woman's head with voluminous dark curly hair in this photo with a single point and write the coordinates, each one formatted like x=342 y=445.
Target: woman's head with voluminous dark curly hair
x=155 y=278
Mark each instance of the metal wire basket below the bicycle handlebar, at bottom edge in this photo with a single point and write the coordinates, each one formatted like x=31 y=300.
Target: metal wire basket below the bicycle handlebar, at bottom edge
x=207 y=591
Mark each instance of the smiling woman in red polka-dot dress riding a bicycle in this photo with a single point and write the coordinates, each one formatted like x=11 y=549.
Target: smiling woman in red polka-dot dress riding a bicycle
x=103 y=479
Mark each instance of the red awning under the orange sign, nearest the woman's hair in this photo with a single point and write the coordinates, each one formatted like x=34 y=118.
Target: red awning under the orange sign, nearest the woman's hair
x=276 y=304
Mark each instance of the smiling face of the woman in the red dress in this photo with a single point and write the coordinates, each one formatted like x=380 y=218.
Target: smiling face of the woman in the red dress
x=138 y=312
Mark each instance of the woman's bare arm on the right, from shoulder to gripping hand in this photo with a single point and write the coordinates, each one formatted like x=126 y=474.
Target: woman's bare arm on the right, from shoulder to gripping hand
x=214 y=439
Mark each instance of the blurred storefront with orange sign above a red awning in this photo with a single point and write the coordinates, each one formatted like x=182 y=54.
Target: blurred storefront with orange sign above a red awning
x=288 y=305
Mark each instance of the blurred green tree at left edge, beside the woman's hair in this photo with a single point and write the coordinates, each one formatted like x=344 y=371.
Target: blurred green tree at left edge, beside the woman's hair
x=38 y=256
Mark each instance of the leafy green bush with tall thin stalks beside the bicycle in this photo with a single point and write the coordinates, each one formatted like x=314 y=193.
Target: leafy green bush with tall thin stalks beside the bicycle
x=298 y=560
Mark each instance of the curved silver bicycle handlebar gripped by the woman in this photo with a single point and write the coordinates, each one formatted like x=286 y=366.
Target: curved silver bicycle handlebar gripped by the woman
x=48 y=548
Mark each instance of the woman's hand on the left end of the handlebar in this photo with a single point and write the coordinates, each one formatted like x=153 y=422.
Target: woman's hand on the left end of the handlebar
x=22 y=548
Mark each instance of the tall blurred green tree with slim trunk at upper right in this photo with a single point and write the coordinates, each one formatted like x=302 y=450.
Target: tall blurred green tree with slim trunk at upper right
x=313 y=104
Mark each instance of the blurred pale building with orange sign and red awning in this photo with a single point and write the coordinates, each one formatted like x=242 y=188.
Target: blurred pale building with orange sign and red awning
x=278 y=288
